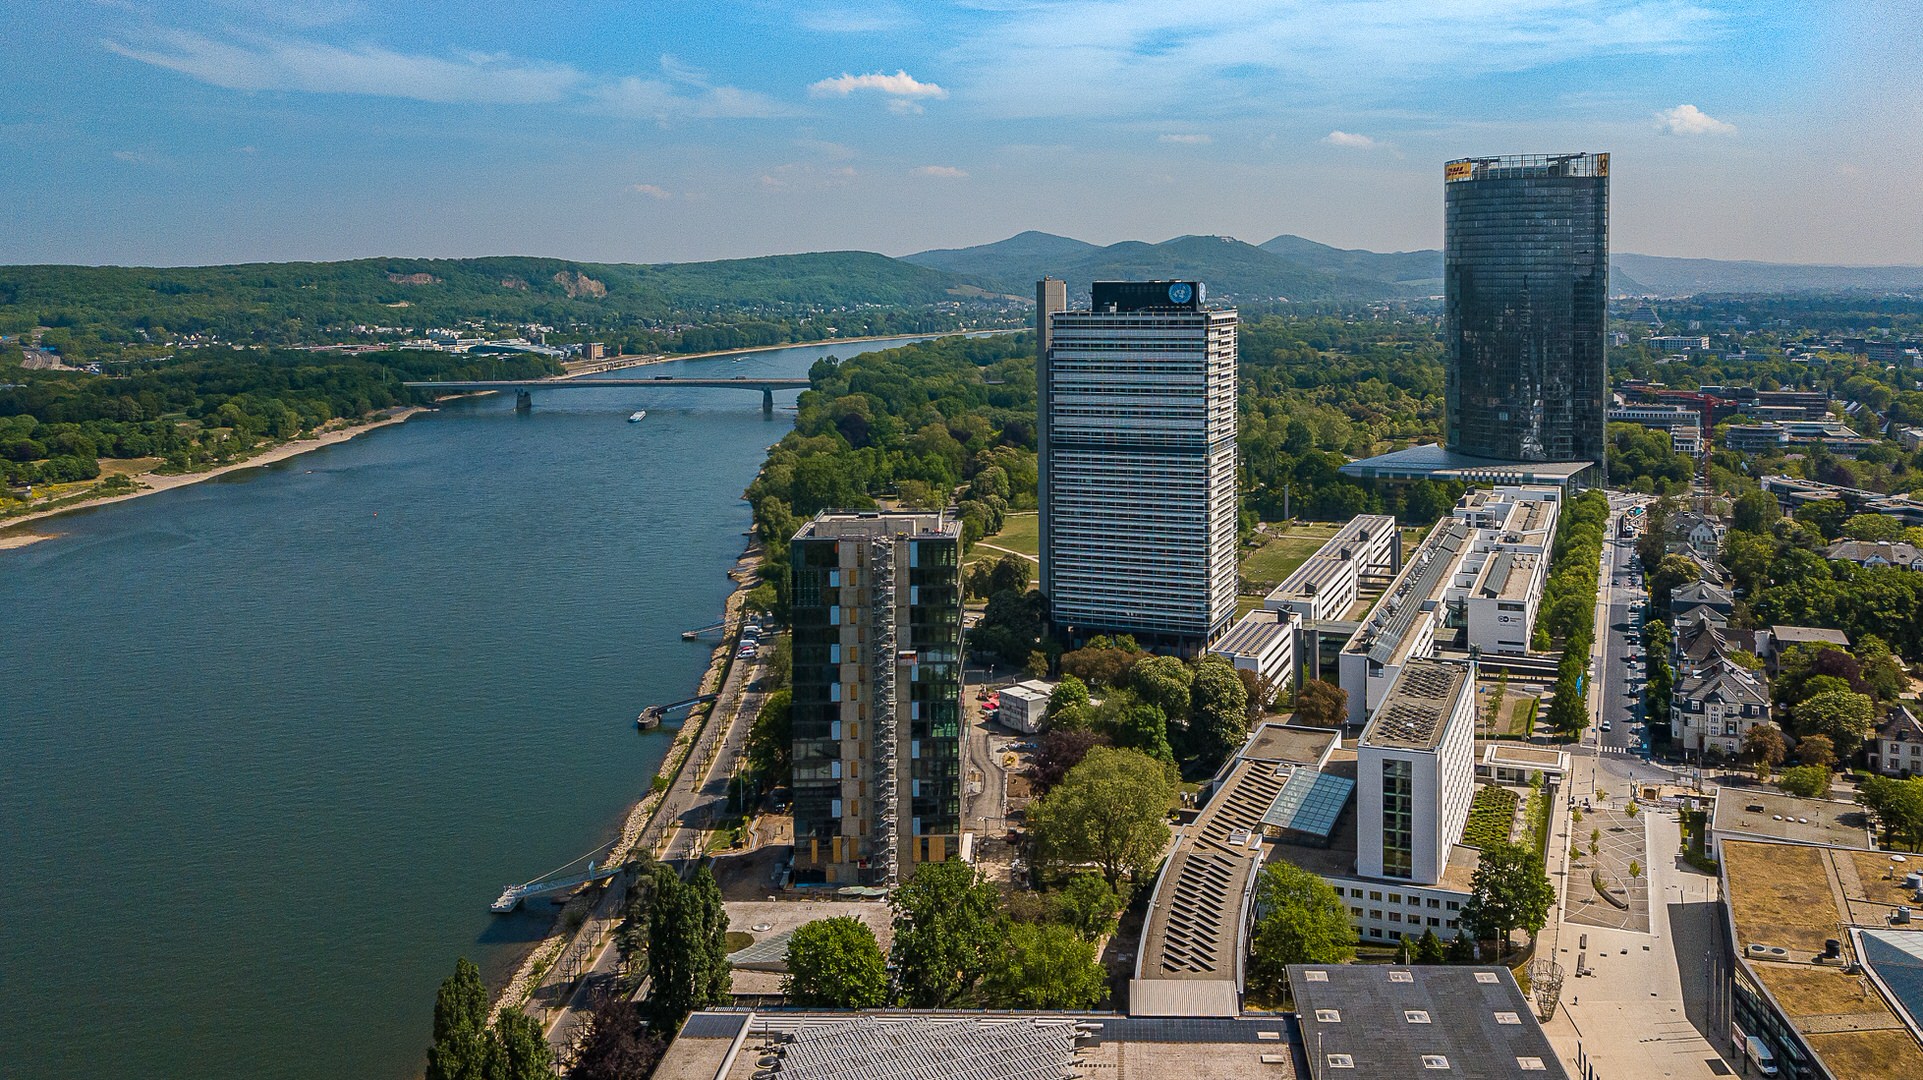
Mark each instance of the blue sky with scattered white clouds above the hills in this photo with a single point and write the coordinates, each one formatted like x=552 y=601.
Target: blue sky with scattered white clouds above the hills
x=170 y=134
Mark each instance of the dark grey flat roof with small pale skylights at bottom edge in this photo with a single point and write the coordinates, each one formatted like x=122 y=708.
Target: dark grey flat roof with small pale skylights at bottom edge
x=1393 y=1021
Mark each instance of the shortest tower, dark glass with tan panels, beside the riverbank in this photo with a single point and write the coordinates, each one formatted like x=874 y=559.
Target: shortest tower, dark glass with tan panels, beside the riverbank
x=878 y=697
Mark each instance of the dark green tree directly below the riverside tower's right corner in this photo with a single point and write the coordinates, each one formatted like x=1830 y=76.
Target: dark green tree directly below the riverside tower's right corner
x=947 y=931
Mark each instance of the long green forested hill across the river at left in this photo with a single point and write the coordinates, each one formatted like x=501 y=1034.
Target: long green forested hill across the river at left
x=320 y=303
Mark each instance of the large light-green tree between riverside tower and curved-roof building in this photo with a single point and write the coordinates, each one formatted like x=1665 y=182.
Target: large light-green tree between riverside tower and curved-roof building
x=1112 y=812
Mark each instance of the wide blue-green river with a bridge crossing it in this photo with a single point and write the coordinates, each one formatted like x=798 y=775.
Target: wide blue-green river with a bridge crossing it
x=270 y=745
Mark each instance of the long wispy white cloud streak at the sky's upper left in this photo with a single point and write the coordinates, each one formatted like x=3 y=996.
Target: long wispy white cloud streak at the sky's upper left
x=286 y=64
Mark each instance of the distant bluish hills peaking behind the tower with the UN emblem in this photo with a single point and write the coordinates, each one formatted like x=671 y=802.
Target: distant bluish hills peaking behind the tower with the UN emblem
x=1232 y=268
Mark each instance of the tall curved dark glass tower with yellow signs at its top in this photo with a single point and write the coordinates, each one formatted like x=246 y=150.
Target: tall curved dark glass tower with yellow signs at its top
x=1526 y=270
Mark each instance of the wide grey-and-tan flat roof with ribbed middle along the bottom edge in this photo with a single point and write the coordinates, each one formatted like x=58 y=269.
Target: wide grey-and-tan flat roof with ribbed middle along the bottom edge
x=978 y=1046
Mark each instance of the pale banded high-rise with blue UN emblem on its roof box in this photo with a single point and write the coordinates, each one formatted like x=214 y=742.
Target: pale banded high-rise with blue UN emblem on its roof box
x=1137 y=462
